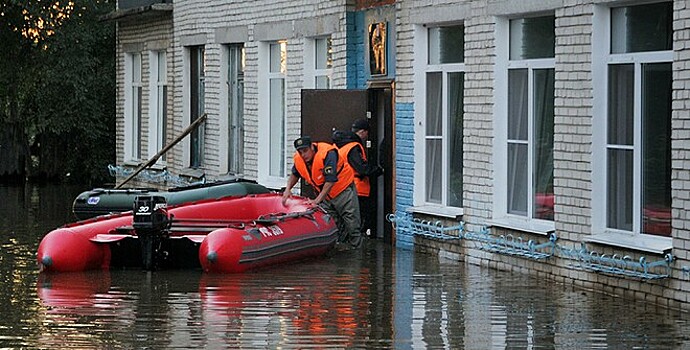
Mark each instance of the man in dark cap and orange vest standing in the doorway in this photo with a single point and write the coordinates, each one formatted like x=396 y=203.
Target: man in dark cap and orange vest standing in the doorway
x=351 y=147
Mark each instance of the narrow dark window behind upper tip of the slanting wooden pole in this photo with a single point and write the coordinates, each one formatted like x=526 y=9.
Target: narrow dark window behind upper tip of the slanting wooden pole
x=197 y=108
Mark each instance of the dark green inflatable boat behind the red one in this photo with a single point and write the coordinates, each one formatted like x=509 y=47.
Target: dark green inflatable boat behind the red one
x=101 y=201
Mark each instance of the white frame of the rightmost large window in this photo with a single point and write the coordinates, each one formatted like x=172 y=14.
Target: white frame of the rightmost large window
x=602 y=58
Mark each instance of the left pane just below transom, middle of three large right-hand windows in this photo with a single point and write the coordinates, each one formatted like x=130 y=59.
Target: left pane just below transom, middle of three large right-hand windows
x=518 y=93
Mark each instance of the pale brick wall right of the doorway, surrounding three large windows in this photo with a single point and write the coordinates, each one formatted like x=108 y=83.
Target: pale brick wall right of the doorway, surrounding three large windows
x=573 y=141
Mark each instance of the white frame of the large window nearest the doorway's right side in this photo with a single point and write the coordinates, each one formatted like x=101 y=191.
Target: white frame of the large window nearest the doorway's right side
x=422 y=67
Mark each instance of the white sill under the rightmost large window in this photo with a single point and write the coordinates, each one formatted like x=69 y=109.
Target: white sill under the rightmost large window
x=645 y=243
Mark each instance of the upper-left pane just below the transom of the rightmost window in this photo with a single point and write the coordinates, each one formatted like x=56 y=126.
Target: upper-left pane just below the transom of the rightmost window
x=621 y=104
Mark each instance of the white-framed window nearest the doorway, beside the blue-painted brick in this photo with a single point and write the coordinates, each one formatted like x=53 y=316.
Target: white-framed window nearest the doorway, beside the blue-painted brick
x=444 y=75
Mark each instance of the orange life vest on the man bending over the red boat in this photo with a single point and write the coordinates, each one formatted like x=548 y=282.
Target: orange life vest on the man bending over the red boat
x=316 y=178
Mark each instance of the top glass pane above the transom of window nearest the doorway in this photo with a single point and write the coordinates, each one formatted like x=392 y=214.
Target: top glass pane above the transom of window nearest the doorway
x=447 y=44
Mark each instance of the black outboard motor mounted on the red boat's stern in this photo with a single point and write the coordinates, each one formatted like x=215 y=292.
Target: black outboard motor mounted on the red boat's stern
x=151 y=224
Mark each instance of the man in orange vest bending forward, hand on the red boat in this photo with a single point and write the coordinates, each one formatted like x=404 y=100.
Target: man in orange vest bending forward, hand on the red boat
x=332 y=178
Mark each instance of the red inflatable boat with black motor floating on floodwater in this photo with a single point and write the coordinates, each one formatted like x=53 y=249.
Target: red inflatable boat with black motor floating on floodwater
x=231 y=234
